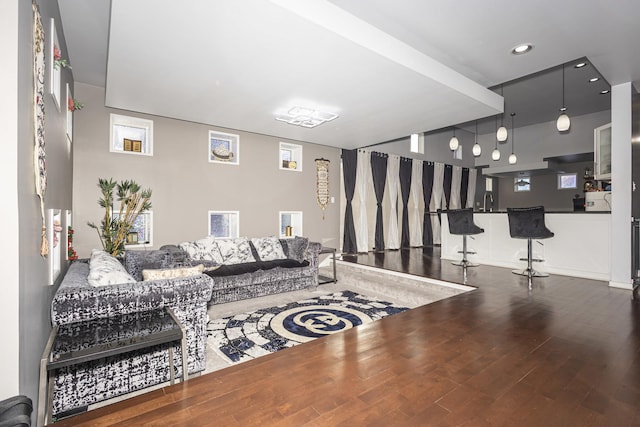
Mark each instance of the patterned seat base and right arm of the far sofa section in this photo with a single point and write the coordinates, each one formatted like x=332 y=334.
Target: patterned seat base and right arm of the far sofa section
x=243 y=281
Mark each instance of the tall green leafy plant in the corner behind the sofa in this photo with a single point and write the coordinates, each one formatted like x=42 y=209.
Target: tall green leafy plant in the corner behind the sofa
x=113 y=230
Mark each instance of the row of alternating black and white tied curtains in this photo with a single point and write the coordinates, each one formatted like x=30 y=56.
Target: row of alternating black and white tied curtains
x=392 y=202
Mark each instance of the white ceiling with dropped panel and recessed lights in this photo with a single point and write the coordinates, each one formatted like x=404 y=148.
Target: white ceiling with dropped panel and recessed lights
x=388 y=69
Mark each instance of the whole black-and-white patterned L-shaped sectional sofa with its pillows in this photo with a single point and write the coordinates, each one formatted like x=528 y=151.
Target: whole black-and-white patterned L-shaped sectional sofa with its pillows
x=187 y=278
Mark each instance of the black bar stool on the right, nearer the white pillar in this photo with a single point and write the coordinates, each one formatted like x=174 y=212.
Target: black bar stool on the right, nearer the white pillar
x=528 y=223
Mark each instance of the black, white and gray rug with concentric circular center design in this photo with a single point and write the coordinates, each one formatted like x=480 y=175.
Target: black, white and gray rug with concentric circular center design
x=249 y=335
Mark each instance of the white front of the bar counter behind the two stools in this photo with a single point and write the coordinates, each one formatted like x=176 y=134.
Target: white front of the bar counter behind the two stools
x=581 y=246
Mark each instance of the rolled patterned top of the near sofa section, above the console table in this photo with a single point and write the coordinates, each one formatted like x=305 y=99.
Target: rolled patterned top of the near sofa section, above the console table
x=76 y=300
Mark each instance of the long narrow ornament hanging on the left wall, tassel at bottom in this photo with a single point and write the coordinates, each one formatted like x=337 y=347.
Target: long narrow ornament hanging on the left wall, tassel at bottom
x=38 y=115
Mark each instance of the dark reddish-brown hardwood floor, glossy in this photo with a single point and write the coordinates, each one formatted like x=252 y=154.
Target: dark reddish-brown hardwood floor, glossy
x=565 y=353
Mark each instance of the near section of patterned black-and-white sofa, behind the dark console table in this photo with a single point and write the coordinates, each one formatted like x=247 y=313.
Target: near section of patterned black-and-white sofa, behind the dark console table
x=76 y=300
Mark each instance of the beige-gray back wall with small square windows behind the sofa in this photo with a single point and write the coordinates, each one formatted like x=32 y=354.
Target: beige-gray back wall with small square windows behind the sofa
x=186 y=186
